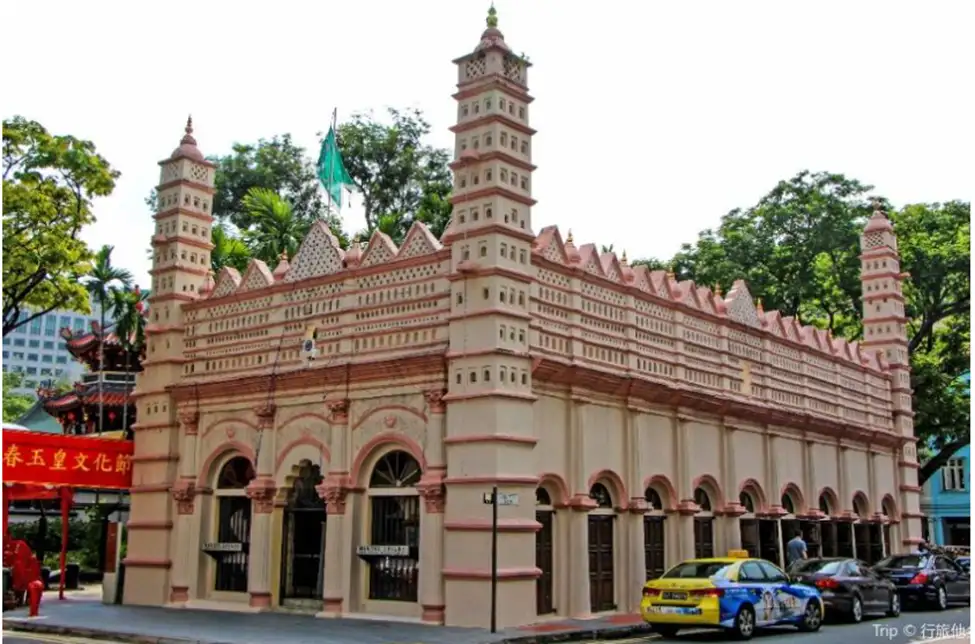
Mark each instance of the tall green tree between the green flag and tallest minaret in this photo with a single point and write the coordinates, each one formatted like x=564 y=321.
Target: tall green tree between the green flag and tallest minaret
x=400 y=179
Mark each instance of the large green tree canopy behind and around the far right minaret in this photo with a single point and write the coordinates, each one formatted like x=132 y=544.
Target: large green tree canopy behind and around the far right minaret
x=798 y=249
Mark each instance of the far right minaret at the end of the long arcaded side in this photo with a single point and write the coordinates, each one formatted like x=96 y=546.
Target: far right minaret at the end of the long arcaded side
x=885 y=330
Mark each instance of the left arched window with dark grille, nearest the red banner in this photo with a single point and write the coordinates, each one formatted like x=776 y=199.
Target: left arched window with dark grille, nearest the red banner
x=231 y=551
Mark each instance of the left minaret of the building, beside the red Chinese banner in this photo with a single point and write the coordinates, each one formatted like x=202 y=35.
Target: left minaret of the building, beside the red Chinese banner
x=181 y=258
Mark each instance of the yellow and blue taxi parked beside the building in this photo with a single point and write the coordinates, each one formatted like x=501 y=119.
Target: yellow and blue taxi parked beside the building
x=736 y=593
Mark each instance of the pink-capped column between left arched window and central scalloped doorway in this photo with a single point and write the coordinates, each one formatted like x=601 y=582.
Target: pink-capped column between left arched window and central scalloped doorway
x=261 y=492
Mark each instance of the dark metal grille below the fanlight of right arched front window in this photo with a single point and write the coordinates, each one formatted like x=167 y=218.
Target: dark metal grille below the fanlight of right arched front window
x=395 y=522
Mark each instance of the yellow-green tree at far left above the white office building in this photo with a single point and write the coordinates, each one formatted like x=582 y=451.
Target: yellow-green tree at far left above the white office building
x=49 y=183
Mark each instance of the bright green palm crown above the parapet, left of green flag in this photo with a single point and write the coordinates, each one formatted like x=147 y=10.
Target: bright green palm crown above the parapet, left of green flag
x=276 y=229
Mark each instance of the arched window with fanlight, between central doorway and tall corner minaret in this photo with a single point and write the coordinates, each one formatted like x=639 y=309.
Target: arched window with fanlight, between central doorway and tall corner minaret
x=394 y=528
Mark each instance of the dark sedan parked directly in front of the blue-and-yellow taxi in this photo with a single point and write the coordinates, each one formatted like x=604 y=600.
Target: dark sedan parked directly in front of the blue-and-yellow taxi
x=850 y=589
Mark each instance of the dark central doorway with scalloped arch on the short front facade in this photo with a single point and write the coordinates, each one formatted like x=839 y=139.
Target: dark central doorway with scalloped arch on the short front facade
x=303 y=538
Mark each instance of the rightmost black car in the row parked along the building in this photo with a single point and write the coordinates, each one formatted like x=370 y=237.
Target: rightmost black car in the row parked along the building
x=928 y=579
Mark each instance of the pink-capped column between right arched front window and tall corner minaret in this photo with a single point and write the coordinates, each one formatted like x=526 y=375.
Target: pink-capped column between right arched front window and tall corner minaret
x=431 y=488
